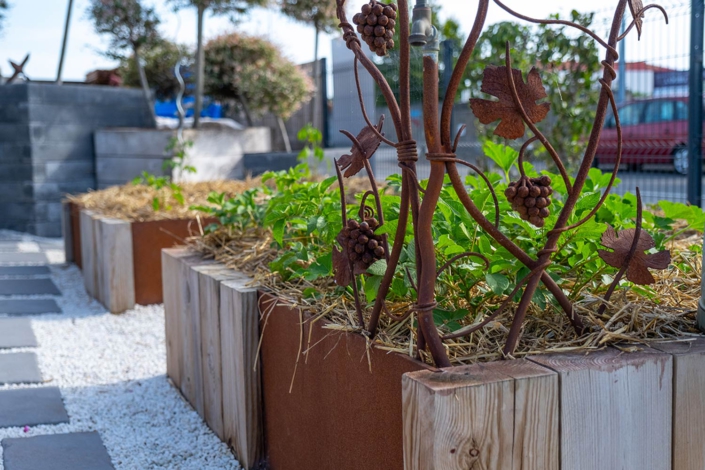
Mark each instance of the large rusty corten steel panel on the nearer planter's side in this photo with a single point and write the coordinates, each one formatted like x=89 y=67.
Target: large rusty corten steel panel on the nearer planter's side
x=343 y=412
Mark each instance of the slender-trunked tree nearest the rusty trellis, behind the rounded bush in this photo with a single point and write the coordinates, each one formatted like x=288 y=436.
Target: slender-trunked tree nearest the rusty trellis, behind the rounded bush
x=321 y=15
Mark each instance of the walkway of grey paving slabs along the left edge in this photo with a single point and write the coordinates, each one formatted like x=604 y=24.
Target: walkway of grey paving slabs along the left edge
x=27 y=290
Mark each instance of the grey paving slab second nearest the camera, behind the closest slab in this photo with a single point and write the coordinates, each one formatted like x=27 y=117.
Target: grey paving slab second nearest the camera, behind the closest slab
x=32 y=407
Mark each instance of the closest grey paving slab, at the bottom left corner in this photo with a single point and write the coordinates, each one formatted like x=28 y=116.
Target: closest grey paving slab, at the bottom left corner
x=74 y=451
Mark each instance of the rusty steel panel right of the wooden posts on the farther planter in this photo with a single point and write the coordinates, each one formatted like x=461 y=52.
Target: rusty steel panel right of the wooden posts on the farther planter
x=148 y=239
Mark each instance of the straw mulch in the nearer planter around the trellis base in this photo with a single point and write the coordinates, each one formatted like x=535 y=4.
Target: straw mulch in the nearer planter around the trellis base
x=629 y=322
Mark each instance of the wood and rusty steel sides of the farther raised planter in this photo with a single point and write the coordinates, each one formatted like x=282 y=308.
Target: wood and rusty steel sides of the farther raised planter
x=121 y=260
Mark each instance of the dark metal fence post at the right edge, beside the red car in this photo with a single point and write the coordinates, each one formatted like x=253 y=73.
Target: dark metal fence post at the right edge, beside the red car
x=695 y=118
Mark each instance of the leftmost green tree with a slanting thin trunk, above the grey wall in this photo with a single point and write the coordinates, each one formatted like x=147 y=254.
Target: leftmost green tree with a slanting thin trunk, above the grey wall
x=132 y=27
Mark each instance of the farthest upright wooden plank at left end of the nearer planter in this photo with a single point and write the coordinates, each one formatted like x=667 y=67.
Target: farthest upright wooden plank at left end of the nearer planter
x=174 y=294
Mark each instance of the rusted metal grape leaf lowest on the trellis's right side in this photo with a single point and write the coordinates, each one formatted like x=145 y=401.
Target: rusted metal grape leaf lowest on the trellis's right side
x=621 y=243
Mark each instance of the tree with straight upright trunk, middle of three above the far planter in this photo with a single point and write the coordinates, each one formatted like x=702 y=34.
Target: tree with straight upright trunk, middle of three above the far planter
x=234 y=8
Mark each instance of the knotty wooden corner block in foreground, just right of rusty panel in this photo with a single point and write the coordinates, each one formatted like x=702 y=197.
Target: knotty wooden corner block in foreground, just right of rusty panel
x=458 y=418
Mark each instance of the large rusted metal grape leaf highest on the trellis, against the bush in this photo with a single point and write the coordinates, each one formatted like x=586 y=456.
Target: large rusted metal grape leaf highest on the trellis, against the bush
x=496 y=83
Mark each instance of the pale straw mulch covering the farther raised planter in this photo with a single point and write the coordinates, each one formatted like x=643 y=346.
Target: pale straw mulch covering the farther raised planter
x=134 y=202
